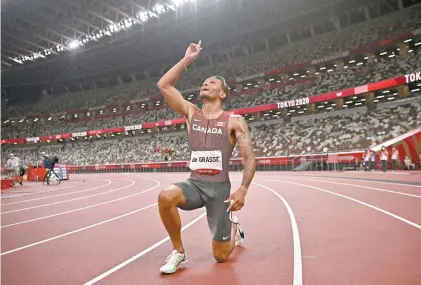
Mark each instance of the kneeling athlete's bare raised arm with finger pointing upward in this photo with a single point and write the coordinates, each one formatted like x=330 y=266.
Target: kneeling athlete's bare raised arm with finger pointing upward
x=167 y=82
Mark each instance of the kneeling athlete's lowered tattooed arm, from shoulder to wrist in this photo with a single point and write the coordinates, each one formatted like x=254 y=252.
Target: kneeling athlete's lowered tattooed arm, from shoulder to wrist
x=242 y=134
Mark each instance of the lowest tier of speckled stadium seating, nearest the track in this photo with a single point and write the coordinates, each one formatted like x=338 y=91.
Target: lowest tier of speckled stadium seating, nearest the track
x=334 y=132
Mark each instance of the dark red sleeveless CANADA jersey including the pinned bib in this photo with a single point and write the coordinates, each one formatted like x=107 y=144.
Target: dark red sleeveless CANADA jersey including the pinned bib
x=210 y=147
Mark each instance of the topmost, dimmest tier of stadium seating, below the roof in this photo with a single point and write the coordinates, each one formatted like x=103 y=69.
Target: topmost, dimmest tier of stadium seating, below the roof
x=313 y=48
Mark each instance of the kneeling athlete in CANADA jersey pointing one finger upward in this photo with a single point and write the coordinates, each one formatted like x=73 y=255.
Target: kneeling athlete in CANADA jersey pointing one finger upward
x=212 y=136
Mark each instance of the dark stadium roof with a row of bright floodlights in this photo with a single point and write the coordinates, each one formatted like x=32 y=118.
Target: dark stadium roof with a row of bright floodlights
x=57 y=41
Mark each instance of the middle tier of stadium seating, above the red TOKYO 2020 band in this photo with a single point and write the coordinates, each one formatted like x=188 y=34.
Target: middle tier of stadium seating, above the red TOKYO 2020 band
x=382 y=68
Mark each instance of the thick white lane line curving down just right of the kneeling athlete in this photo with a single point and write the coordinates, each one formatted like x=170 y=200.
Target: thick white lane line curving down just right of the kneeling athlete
x=298 y=267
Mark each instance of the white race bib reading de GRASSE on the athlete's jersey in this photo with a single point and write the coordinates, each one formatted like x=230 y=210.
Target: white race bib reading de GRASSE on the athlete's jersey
x=206 y=162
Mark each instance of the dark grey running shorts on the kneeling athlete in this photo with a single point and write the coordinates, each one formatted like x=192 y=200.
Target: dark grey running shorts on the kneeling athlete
x=199 y=193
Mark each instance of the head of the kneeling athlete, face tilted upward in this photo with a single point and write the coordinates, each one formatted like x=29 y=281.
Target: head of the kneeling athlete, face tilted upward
x=214 y=88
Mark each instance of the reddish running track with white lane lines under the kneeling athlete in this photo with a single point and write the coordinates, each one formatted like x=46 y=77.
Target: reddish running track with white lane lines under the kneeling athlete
x=347 y=232
